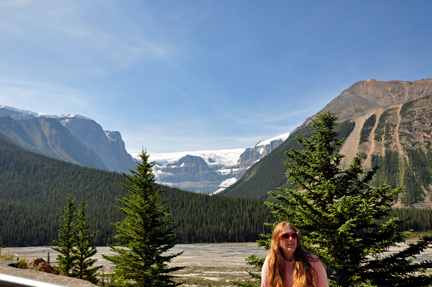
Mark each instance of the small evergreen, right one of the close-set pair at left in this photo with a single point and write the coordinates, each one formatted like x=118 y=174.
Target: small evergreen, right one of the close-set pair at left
x=83 y=249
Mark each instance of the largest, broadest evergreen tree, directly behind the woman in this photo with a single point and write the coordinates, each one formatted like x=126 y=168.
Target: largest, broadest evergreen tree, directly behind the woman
x=337 y=211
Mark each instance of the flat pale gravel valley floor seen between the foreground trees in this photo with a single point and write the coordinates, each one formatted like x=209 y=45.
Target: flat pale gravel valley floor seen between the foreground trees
x=205 y=264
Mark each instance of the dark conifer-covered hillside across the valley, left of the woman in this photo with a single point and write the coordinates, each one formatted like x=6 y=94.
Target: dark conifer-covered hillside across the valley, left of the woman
x=33 y=189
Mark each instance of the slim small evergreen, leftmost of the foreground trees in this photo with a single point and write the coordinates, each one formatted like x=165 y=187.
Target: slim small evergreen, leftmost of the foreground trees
x=66 y=234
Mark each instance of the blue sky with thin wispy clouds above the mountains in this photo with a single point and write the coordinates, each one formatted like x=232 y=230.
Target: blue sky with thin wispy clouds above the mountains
x=203 y=75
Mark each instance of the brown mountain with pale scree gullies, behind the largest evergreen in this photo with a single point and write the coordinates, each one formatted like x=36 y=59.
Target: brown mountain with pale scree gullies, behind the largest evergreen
x=388 y=123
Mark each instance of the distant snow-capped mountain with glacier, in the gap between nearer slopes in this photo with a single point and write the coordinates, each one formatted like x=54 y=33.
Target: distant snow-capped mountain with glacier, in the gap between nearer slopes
x=210 y=171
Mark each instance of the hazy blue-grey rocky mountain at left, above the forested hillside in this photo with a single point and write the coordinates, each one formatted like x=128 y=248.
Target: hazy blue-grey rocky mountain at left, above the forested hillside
x=71 y=138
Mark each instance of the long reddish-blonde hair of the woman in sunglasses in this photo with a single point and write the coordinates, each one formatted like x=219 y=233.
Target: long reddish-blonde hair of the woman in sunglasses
x=303 y=275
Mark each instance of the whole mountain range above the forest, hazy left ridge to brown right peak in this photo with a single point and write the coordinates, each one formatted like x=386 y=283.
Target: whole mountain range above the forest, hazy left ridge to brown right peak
x=388 y=123
